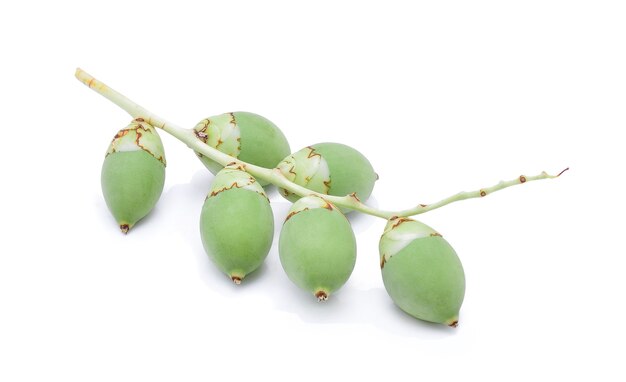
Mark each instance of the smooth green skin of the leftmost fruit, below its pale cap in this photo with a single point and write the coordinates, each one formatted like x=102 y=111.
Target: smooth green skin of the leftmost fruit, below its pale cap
x=132 y=182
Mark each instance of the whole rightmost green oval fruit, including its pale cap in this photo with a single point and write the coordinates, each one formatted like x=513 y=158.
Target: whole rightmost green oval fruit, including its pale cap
x=421 y=271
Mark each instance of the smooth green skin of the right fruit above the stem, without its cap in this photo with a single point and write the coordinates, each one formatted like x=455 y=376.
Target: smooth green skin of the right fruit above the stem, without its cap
x=350 y=171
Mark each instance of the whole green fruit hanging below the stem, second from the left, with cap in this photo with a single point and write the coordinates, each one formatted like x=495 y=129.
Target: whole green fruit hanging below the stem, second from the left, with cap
x=236 y=223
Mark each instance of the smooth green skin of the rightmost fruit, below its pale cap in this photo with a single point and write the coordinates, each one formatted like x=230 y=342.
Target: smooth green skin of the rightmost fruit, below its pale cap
x=426 y=280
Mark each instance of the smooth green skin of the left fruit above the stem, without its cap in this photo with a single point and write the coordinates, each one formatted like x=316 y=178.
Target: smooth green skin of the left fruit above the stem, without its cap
x=262 y=143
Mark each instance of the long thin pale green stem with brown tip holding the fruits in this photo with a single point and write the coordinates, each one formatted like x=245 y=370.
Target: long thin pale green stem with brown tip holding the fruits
x=274 y=176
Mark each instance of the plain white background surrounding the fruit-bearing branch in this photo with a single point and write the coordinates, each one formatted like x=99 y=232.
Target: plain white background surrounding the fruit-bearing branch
x=441 y=97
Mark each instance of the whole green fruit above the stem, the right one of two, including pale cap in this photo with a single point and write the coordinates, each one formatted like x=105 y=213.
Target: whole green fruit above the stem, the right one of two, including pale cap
x=329 y=168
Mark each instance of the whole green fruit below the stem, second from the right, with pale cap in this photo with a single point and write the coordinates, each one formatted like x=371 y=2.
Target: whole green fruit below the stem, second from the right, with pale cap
x=317 y=247
